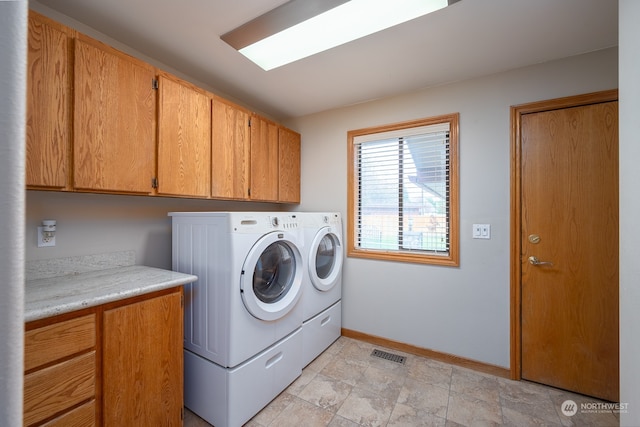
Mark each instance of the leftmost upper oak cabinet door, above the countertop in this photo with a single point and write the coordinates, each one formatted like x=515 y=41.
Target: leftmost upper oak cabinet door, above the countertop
x=48 y=104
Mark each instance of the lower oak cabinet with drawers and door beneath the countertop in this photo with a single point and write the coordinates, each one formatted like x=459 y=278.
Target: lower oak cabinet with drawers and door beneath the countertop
x=114 y=365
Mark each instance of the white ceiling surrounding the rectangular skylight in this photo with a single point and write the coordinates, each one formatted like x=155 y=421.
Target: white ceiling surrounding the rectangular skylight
x=468 y=39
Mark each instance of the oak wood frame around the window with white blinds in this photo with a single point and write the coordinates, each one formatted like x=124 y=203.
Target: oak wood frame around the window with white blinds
x=450 y=259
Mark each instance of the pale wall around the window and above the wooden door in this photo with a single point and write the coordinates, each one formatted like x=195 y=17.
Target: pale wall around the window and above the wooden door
x=462 y=311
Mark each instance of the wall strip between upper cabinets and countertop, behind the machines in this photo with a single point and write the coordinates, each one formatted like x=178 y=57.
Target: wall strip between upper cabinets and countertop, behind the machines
x=98 y=223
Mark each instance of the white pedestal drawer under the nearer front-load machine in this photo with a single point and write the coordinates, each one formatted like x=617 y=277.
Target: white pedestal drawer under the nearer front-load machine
x=229 y=397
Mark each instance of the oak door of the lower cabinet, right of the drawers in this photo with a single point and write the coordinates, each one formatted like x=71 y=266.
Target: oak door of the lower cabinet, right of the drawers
x=142 y=363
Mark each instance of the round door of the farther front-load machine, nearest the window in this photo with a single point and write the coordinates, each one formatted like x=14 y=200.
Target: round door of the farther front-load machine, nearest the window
x=325 y=259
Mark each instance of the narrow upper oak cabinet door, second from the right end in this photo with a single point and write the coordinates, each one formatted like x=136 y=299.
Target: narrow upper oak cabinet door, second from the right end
x=264 y=159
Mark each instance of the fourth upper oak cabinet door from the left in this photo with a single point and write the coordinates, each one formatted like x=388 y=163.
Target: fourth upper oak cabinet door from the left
x=229 y=151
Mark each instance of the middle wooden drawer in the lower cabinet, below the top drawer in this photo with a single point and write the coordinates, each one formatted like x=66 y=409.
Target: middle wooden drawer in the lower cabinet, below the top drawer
x=58 y=387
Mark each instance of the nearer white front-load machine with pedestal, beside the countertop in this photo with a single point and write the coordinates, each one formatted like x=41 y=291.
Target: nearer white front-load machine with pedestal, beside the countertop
x=243 y=317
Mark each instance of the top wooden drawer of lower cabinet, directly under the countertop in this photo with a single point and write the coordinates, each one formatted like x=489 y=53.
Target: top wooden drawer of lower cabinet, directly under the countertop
x=52 y=342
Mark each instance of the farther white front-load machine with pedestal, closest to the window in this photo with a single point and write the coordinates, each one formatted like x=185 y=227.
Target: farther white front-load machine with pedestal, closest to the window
x=322 y=293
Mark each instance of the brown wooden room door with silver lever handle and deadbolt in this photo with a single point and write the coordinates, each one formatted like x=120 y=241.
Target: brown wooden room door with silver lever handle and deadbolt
x=569 y=224
